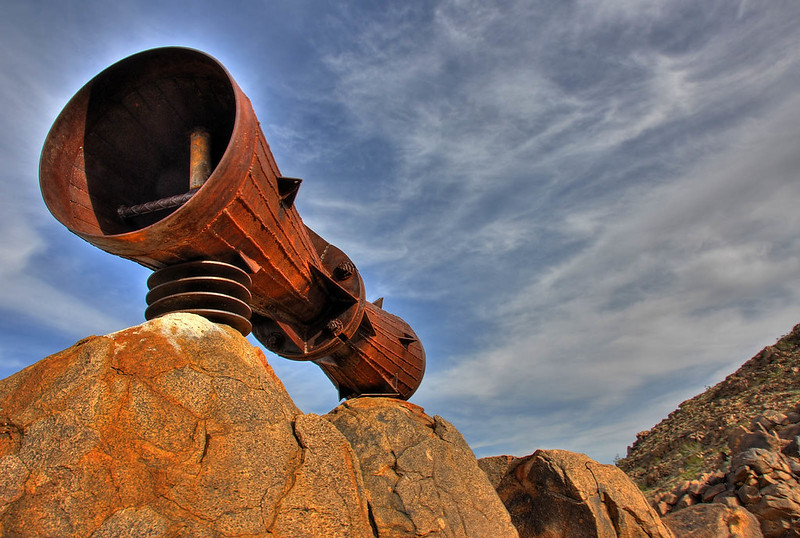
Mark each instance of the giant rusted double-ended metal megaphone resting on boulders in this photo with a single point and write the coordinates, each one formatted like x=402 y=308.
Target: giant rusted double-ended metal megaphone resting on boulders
x=126 y=168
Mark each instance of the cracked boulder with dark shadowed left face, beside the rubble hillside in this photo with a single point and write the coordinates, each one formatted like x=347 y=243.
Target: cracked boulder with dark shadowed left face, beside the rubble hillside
x=555 y=493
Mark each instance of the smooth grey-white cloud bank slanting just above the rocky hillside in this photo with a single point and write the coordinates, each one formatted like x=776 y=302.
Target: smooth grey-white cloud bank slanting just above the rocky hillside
x=694 y=277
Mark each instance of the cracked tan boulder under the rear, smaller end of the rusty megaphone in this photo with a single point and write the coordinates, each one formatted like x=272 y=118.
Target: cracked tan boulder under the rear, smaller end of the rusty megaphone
x=421 y=477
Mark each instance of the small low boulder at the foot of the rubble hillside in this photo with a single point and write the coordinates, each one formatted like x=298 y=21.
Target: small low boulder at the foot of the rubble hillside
x=715 y=520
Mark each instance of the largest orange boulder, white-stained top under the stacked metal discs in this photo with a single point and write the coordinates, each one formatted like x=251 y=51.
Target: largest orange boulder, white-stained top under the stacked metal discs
x=175 y=427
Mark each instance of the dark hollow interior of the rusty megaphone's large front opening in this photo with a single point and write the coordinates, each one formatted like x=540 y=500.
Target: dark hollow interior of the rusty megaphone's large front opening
x=125 y=138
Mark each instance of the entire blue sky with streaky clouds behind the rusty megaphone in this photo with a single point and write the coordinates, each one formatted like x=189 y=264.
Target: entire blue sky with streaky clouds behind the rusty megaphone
x=587 y=210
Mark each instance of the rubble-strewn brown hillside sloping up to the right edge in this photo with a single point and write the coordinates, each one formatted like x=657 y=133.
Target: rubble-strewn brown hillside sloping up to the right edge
x=736 y=443
